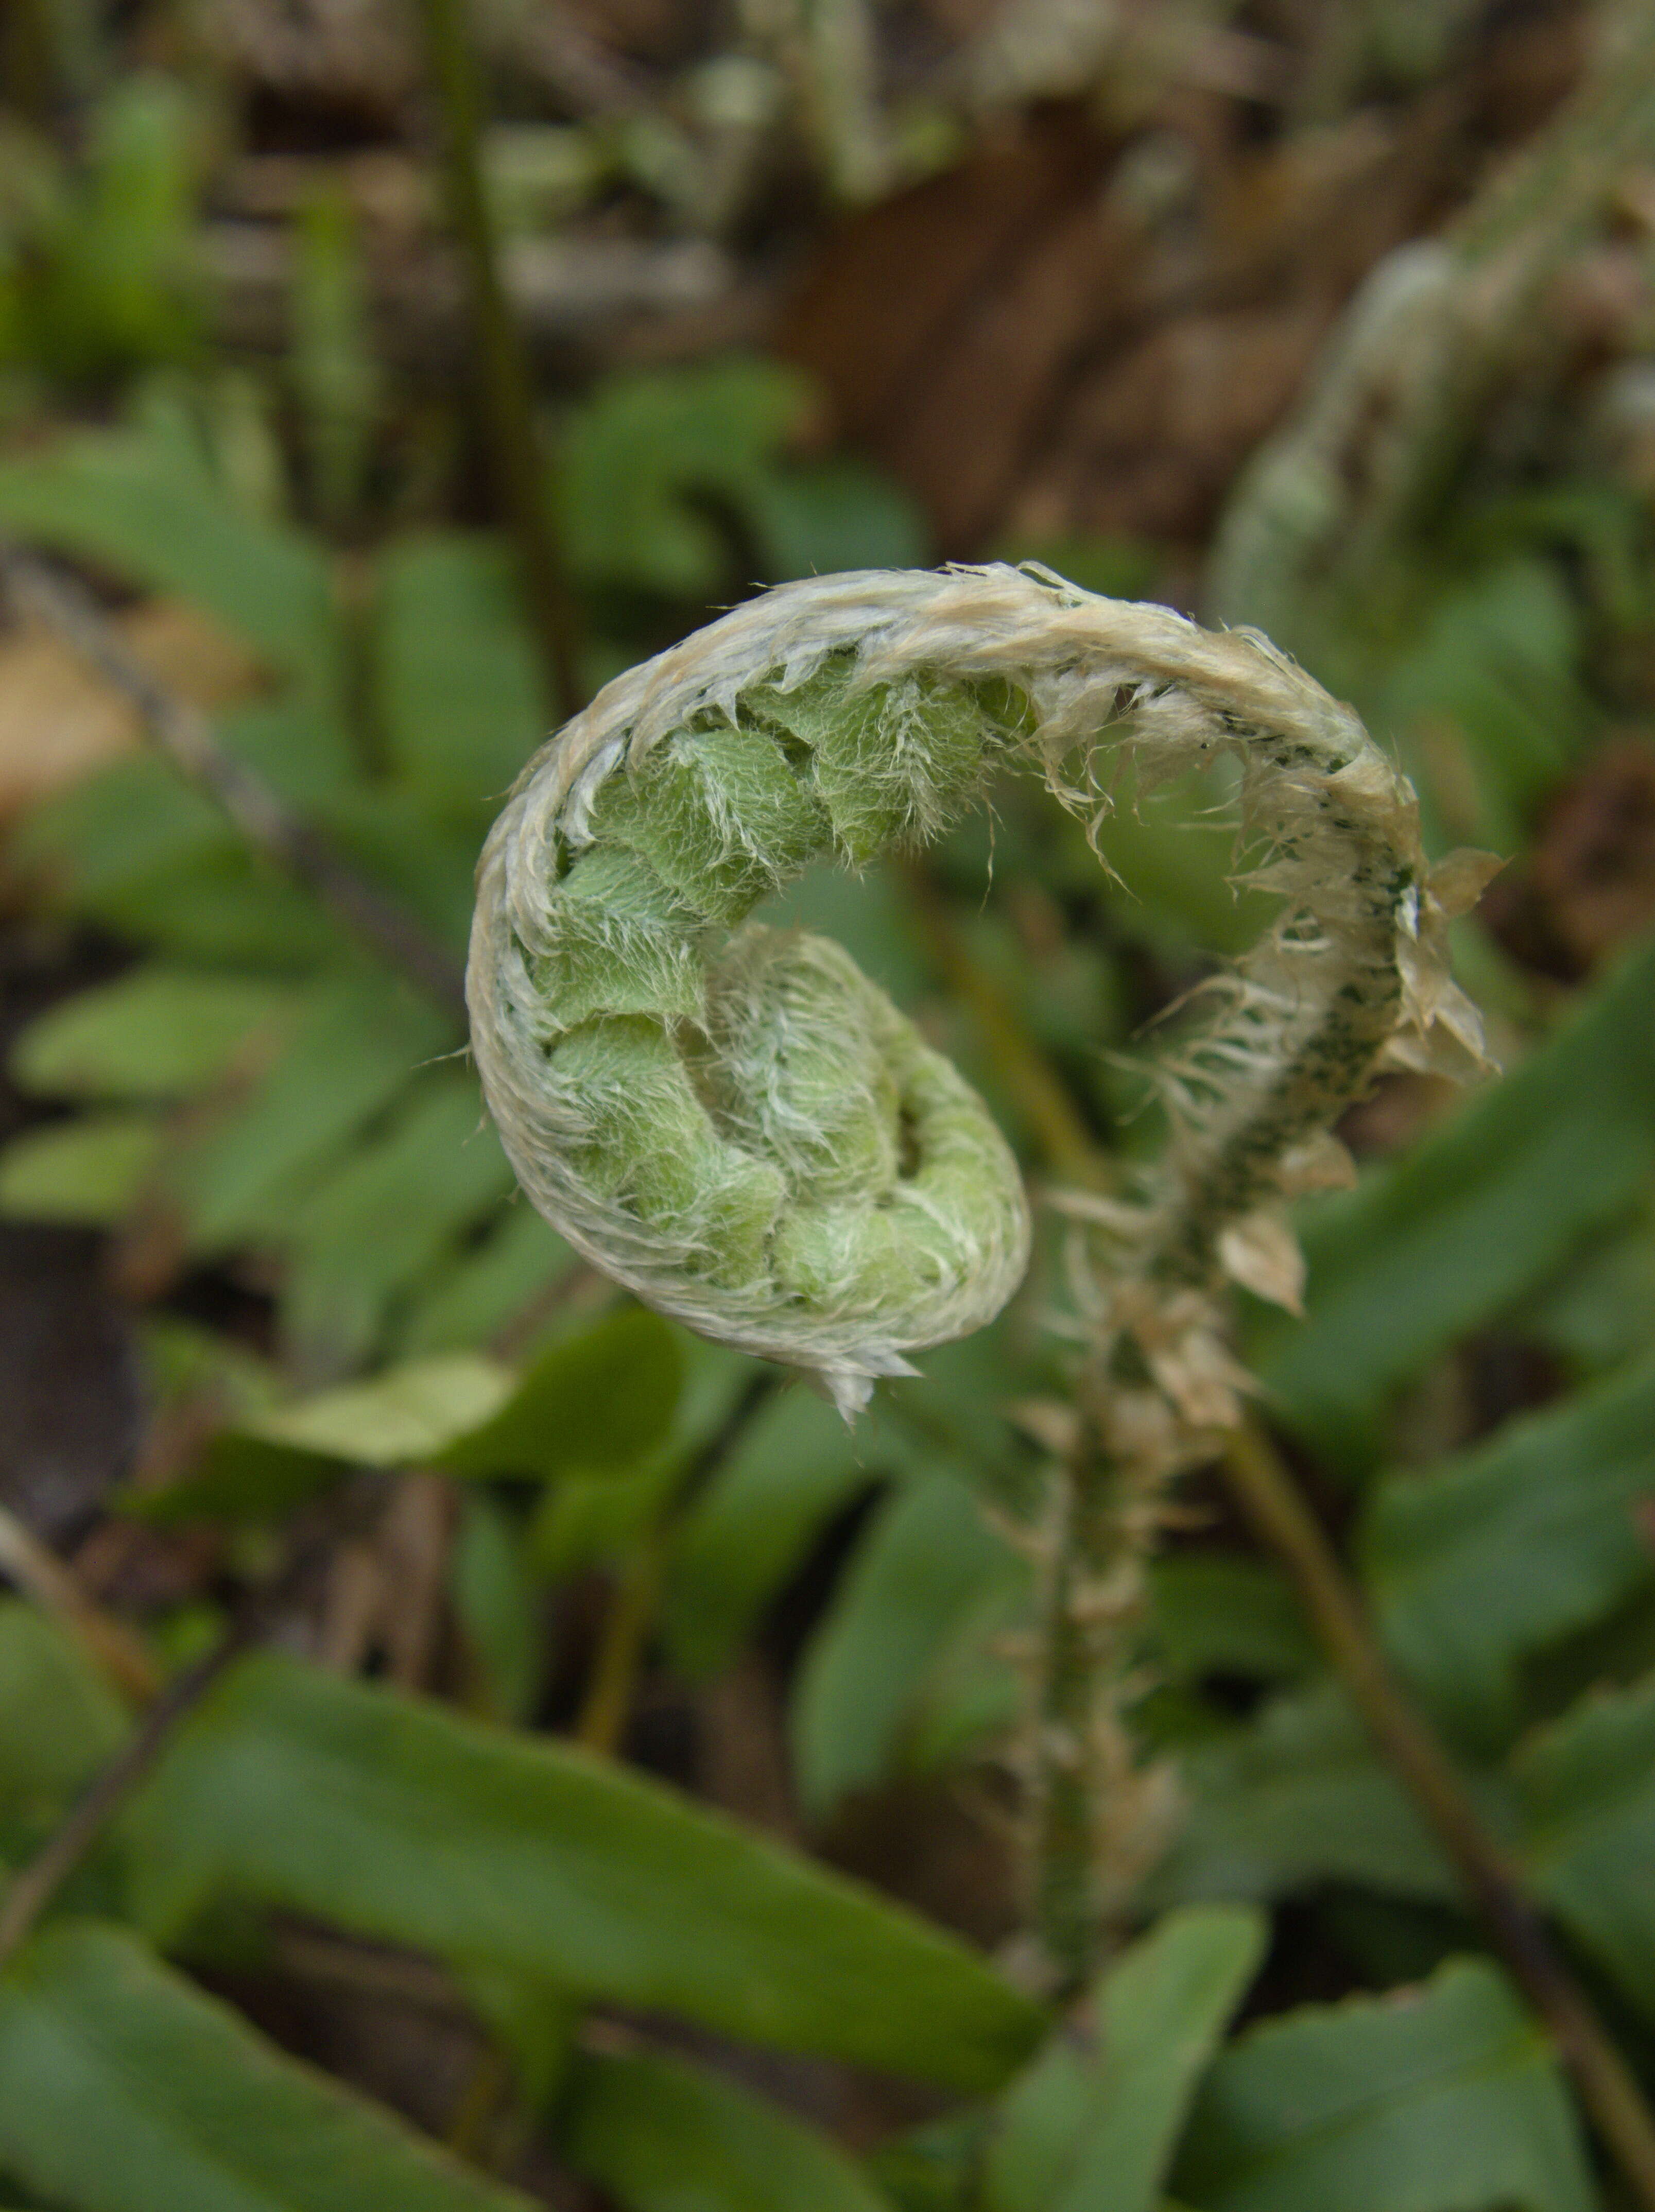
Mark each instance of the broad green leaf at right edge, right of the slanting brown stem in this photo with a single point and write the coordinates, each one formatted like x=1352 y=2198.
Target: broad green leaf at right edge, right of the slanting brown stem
x=1510 y=1547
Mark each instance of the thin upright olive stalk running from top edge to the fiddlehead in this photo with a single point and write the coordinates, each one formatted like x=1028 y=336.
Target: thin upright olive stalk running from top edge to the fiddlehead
x=521 y=468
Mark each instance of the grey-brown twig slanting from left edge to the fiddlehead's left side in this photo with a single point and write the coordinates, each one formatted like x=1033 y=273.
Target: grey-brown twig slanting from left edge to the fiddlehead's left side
x=183 y=733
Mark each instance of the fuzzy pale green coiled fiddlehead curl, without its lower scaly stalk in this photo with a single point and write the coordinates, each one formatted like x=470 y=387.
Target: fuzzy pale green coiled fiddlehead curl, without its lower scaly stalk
x=742 y=1129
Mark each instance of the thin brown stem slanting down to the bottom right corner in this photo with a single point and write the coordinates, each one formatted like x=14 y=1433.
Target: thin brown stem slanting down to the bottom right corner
x=1273 y=1503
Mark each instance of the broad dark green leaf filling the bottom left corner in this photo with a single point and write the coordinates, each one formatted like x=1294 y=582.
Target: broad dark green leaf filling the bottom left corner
x=123 y=2089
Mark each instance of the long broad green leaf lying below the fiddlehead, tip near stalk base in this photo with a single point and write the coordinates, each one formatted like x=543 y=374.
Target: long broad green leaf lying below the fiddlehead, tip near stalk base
x=399 y=1819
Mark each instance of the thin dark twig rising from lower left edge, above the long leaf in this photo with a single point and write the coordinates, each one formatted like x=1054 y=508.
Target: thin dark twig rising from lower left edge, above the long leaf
x=39 y=1884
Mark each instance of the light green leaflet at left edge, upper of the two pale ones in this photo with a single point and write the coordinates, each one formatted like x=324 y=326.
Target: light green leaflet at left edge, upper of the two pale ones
x=156 y=1034
